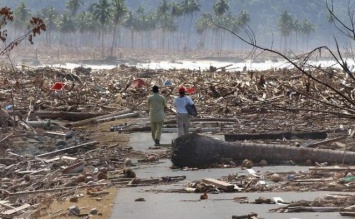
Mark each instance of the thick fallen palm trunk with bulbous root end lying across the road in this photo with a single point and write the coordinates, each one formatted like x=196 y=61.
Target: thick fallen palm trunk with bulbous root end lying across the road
x=195 y=150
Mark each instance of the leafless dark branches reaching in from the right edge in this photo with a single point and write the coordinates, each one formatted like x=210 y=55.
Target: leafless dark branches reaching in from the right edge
x=338 y=87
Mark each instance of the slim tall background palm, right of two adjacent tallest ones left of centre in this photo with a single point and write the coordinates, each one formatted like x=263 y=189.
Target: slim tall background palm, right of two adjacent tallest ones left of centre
x=119 y=9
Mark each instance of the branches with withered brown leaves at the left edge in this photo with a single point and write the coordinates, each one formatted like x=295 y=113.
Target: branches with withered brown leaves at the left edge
x=35 y=27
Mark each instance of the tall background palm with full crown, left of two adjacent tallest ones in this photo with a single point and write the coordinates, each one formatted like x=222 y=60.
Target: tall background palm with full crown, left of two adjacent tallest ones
x=102 y=12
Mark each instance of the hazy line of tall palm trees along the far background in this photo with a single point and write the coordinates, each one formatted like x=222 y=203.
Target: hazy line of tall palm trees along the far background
x=170 y=25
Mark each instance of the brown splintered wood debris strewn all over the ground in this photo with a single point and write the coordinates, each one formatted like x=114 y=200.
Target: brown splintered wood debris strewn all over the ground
x=48 y=155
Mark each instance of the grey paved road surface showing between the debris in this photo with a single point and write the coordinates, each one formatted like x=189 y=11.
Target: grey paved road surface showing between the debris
x=188 y=205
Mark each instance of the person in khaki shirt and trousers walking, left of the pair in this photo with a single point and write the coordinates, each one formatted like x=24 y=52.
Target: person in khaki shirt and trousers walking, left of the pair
x=156 y=104
